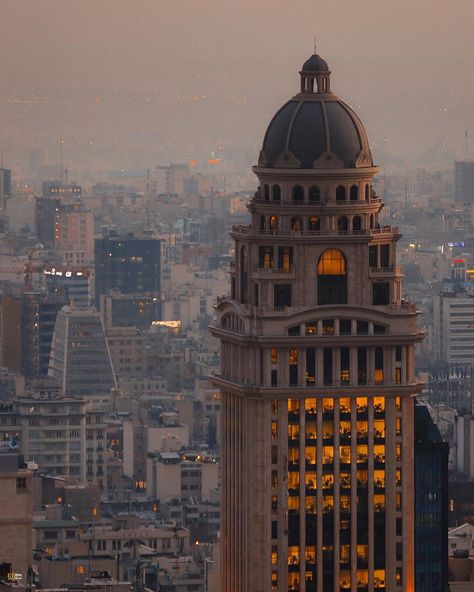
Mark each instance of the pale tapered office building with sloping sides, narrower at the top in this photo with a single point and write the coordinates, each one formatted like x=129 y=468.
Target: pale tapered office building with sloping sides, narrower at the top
x=80 y=358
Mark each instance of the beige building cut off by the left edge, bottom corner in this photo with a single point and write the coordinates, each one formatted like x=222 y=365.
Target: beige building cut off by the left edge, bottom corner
x=16 y=517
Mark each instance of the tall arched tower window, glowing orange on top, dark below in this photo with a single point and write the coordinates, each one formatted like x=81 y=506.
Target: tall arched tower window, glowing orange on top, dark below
x=332 y=277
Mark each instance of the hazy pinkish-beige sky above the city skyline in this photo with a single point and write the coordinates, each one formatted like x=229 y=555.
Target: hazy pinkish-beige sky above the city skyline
x=148 y=80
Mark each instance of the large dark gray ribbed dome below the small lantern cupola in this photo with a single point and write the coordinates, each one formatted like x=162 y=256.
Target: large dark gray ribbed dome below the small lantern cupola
x=315 y=131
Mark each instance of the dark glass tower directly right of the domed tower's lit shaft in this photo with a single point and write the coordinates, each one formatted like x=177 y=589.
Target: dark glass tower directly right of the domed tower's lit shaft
x=431 y=504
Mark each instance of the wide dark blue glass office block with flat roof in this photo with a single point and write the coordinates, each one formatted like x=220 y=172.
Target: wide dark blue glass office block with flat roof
x=127 y=264
